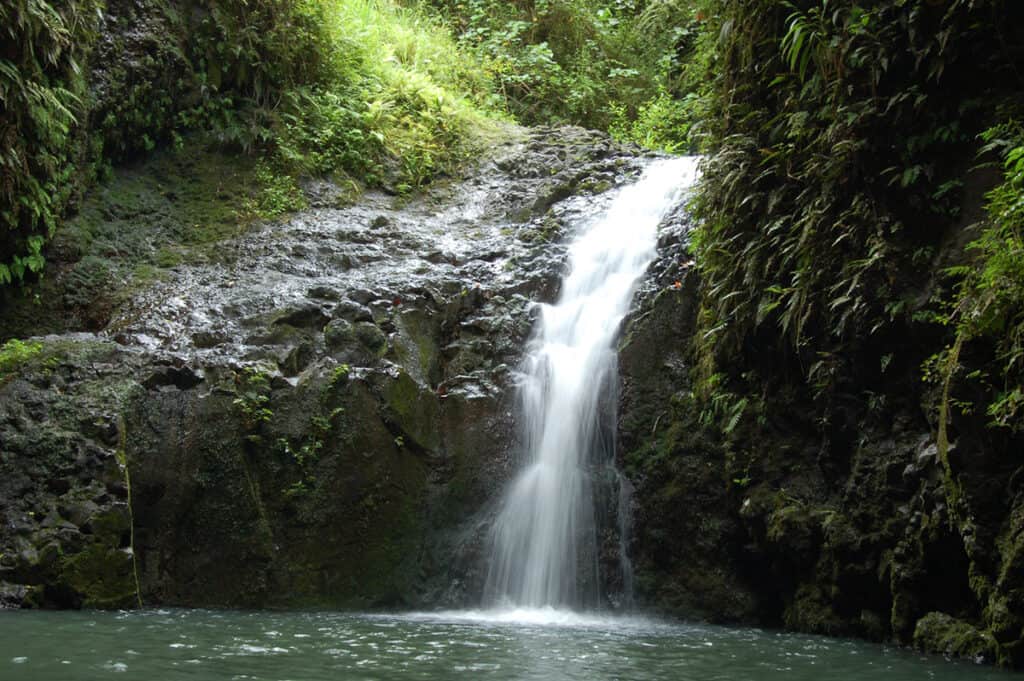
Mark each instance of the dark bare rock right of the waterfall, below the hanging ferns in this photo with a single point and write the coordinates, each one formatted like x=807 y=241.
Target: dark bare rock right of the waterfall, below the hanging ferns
x=854 y=527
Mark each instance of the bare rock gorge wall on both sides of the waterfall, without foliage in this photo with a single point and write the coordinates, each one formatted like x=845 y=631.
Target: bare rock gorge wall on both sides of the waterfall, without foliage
x=320 y=415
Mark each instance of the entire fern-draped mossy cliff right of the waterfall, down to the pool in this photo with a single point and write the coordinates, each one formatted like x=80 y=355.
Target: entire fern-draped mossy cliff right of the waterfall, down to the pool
x=838 y=448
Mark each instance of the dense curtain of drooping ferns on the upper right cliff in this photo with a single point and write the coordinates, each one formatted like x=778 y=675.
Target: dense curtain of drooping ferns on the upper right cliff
x=838 y=131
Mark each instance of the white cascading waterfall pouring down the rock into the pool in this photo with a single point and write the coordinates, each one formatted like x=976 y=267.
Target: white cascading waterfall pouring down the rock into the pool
x=544 y=541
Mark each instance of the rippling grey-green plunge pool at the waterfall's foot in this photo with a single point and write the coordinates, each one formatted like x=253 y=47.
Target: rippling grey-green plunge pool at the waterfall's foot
x=209 y=646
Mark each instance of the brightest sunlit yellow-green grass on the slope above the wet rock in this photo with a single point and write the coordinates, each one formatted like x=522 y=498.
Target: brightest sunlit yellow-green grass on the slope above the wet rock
x=422 y=100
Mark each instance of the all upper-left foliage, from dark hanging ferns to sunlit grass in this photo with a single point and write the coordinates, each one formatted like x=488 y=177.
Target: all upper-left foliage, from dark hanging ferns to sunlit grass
x=361 y=88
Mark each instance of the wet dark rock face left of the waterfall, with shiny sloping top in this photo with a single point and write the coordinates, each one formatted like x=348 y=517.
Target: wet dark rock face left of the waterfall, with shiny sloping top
x=318 y=414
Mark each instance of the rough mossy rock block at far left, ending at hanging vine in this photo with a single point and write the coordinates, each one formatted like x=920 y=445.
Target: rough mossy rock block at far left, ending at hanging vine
x=67 y=523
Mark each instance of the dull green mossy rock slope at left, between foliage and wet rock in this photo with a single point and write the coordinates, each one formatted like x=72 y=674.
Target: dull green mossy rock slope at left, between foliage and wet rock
x=127 y=233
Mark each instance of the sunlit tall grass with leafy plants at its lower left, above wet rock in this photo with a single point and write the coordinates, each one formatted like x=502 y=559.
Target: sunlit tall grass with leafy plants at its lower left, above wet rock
x=403 y=107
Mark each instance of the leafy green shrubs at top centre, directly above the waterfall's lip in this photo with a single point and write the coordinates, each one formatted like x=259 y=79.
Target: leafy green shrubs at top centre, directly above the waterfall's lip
x=605 y=64
